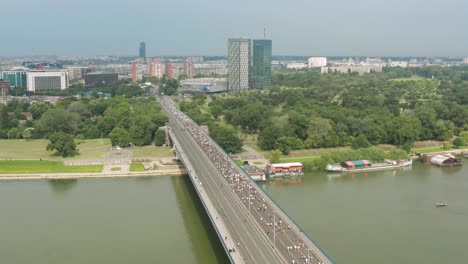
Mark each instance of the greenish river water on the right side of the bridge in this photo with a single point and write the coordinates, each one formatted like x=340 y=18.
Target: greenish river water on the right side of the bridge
x=383 y=216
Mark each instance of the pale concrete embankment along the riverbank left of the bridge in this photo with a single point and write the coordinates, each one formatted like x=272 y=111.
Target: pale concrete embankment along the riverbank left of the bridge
x=51 y=176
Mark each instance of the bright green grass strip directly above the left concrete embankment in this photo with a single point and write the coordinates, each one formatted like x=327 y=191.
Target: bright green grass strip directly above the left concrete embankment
x=44 y=166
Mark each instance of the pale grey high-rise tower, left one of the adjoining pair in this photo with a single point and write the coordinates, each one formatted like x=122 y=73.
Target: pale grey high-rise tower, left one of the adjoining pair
x=238 y=64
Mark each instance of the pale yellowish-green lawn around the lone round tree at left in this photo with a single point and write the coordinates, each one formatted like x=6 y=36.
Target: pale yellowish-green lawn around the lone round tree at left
x=22 y=149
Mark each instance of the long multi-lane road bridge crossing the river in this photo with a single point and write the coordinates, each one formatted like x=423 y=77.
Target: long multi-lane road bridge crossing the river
x=250 y=225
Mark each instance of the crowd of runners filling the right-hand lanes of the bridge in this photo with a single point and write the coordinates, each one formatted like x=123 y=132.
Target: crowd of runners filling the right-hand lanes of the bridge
x=242 y=185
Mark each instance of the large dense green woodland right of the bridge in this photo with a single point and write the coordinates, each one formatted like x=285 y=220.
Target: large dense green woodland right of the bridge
x=311 y=110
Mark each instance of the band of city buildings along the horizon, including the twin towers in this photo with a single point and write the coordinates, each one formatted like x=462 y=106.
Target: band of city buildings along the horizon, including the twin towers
x=248 y=66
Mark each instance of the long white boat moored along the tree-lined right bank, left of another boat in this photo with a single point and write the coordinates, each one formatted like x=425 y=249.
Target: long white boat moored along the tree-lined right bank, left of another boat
x=364 y=165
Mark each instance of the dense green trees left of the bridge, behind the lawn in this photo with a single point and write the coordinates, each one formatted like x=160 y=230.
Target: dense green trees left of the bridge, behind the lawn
x=124 y=120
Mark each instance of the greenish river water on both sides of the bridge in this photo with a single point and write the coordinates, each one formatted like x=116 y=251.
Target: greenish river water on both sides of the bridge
x=375 y=217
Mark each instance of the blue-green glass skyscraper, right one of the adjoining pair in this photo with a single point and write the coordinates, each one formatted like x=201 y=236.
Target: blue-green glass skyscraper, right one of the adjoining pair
x=261 y=69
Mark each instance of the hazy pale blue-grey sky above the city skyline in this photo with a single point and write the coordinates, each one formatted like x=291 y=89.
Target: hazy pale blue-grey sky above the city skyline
x=202 y=27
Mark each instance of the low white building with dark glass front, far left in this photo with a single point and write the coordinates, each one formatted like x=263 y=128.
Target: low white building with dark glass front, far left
x=46 y=80
